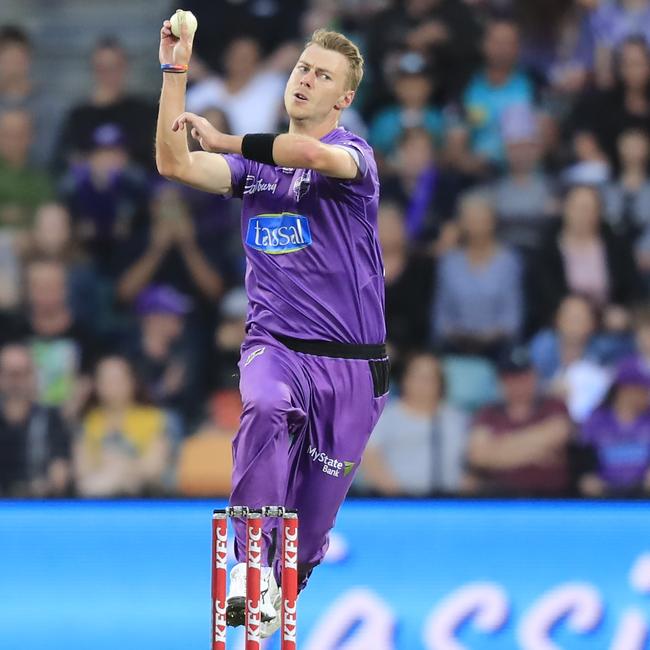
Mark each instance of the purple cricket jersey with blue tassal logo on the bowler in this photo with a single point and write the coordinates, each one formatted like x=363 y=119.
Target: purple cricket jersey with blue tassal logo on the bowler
x=313 y=263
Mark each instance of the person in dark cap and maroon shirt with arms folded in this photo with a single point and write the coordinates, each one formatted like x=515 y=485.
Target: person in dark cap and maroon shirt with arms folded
x=520 y=446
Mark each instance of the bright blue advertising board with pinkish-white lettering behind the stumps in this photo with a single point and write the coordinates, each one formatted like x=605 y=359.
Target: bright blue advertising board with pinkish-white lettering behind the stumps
x=435 y=575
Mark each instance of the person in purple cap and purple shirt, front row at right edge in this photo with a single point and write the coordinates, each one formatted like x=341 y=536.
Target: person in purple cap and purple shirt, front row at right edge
x=619 y=433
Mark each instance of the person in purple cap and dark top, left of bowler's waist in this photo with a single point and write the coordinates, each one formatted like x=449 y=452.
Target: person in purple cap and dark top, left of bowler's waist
x=161 y=355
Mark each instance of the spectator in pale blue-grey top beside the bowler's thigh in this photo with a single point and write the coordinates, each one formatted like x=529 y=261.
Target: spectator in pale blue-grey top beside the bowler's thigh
x=418 y=445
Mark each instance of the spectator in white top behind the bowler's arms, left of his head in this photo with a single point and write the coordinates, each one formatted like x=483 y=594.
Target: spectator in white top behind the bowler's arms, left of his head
x=251 y=90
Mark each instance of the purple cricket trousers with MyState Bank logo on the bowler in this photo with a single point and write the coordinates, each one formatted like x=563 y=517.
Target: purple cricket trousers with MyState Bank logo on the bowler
x=306 y=420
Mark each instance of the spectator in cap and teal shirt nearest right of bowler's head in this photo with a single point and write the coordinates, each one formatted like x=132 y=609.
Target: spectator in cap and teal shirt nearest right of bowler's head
x=412 y=88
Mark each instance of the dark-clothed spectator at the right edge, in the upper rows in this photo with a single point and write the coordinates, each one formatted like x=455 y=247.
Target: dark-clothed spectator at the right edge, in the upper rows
x=605 y=114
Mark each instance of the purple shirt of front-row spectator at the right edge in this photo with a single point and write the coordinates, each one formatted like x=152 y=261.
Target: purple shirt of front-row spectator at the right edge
x=623 y=448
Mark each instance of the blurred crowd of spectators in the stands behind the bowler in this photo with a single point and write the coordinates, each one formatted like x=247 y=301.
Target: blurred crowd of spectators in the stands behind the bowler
x=513 y=142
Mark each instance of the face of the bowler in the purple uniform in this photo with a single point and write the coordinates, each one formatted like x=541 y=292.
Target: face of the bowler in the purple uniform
x=318 y=84
